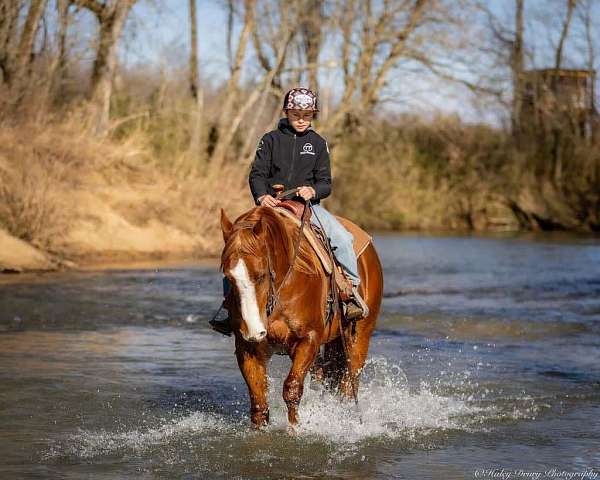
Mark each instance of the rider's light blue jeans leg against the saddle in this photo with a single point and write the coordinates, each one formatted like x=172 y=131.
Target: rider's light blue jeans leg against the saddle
x=341 y=240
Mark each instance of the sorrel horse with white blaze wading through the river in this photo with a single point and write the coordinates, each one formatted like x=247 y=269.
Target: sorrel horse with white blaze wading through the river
x=259 y=249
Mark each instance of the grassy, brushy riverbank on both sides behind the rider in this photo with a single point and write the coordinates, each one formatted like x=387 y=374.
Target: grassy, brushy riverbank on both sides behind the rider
x=69 y=199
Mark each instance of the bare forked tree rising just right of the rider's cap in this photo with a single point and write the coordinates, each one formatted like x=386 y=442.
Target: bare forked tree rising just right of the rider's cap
x=375 y=37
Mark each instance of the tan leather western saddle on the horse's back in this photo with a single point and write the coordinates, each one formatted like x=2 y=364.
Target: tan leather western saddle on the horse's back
x=317 y=238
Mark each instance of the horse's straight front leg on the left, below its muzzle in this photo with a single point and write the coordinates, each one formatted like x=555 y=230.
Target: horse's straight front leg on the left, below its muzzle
x=252 y=360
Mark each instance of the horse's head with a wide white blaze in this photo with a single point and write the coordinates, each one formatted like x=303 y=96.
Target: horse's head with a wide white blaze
x=244 y=262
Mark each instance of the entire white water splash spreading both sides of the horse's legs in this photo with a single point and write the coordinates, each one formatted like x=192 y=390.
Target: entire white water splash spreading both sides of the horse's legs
x=389 y=408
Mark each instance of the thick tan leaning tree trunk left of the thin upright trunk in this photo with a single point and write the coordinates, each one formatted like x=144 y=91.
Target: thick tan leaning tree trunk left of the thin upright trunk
x=111 y=26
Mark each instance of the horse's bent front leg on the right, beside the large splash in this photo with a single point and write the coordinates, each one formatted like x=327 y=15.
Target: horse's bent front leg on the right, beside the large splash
x=303 y=356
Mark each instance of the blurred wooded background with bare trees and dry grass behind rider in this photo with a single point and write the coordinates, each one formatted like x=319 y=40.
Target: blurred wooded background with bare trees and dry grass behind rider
x=528 y=159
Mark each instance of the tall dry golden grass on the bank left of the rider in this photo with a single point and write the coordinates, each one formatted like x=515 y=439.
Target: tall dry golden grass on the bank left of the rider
x=65 y=192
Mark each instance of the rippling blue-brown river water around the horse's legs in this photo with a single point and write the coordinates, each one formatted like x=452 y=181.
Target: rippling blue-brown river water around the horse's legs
x=486 y=357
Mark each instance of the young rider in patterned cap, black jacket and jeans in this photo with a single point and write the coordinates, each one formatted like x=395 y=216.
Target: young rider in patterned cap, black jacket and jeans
x=298 y=157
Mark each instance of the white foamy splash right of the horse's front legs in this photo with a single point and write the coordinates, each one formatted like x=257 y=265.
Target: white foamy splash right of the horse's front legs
x=386 y=407
